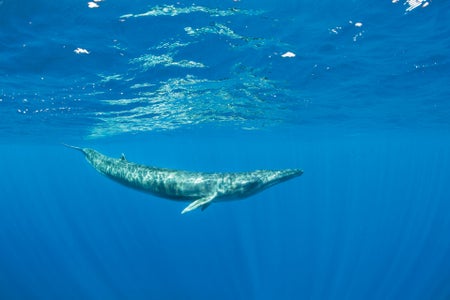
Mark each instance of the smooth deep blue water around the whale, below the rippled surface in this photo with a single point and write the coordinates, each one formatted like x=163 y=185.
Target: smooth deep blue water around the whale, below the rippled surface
x=367 y=220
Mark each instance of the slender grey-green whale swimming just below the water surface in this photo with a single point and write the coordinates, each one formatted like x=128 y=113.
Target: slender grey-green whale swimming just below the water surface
x=199 y=188
